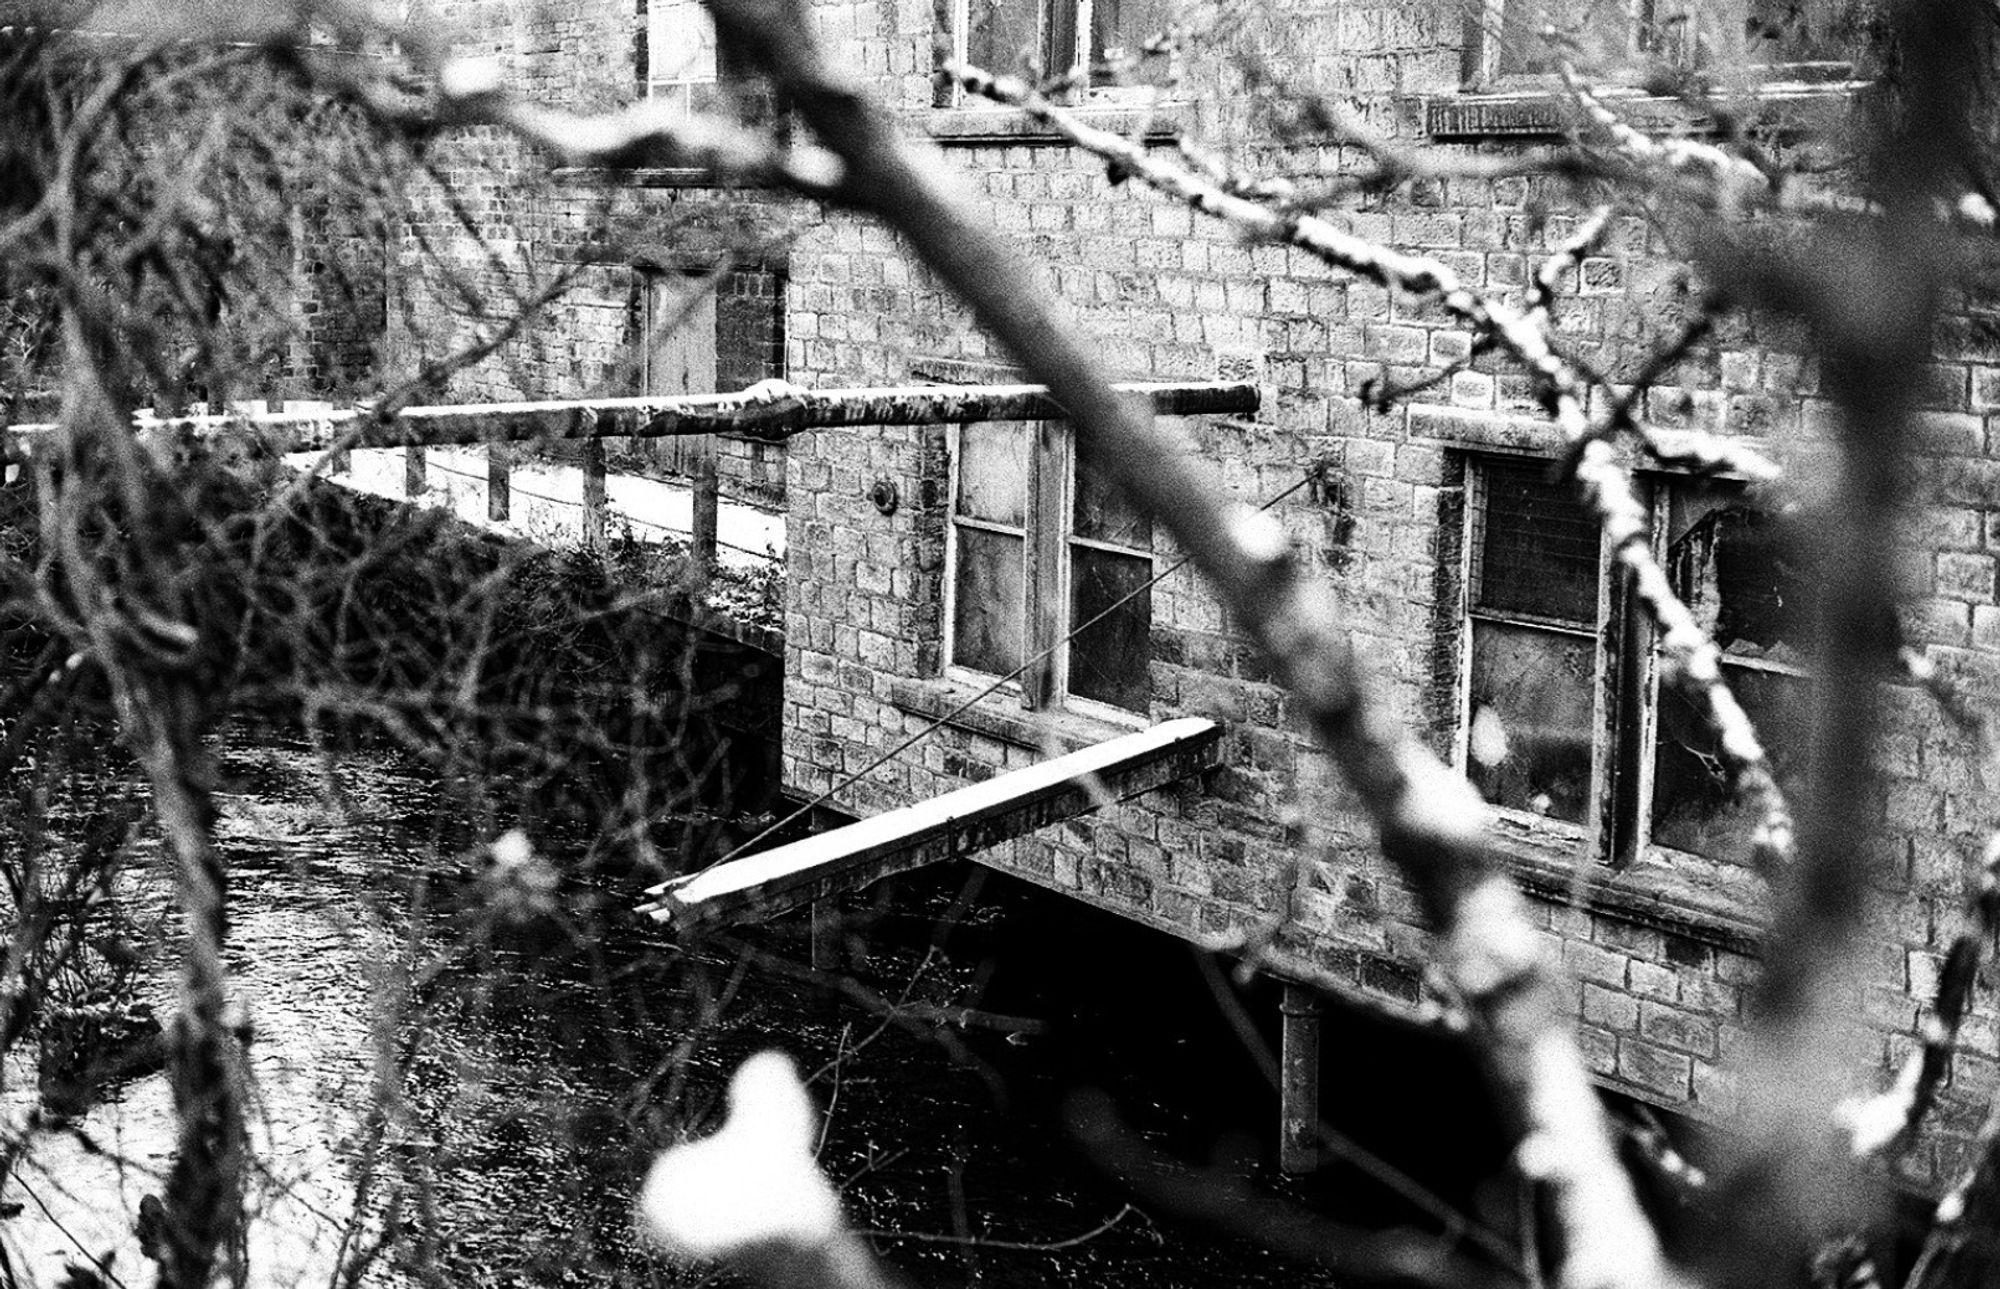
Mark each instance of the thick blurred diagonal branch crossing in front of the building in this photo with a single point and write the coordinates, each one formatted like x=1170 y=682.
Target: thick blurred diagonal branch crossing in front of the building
x=1431 y=822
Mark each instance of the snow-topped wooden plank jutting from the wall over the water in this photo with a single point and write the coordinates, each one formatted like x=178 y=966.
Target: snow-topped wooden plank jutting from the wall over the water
x=945 y=828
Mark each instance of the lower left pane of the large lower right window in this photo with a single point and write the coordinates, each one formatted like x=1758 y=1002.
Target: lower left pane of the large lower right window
x=1531 y=720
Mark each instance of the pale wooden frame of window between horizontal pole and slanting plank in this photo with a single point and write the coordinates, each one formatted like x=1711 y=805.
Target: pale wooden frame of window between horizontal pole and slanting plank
x=1047 y=579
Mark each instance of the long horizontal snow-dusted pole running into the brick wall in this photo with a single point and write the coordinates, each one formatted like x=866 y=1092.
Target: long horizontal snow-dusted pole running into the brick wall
x=763 y=413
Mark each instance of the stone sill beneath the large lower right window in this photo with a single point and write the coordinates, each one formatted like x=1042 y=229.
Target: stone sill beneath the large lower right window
x=1721 y=906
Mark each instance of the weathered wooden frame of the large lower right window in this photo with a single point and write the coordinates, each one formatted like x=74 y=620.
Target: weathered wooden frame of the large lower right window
x=1627 y=686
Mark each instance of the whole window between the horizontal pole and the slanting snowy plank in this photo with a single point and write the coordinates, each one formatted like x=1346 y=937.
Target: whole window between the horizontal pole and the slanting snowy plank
x=1045 y=557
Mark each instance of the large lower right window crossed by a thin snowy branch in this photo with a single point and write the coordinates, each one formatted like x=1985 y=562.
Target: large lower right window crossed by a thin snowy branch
x=1565 y=716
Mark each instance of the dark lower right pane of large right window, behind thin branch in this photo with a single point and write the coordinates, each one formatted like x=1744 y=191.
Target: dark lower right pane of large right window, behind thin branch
x=1693 y=808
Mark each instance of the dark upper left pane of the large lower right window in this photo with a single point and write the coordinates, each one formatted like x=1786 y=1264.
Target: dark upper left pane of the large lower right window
x=1539 y=547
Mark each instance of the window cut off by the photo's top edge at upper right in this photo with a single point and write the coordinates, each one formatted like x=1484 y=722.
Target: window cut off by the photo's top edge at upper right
x=1631 y=41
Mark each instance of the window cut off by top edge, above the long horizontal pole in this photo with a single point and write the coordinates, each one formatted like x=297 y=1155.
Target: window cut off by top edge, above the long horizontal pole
x=1055 y=35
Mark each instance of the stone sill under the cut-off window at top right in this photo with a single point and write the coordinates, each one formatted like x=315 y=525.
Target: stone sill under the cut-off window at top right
x=1547 y=113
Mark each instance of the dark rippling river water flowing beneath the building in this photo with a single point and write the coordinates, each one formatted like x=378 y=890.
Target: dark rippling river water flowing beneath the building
x=461 y=1080
